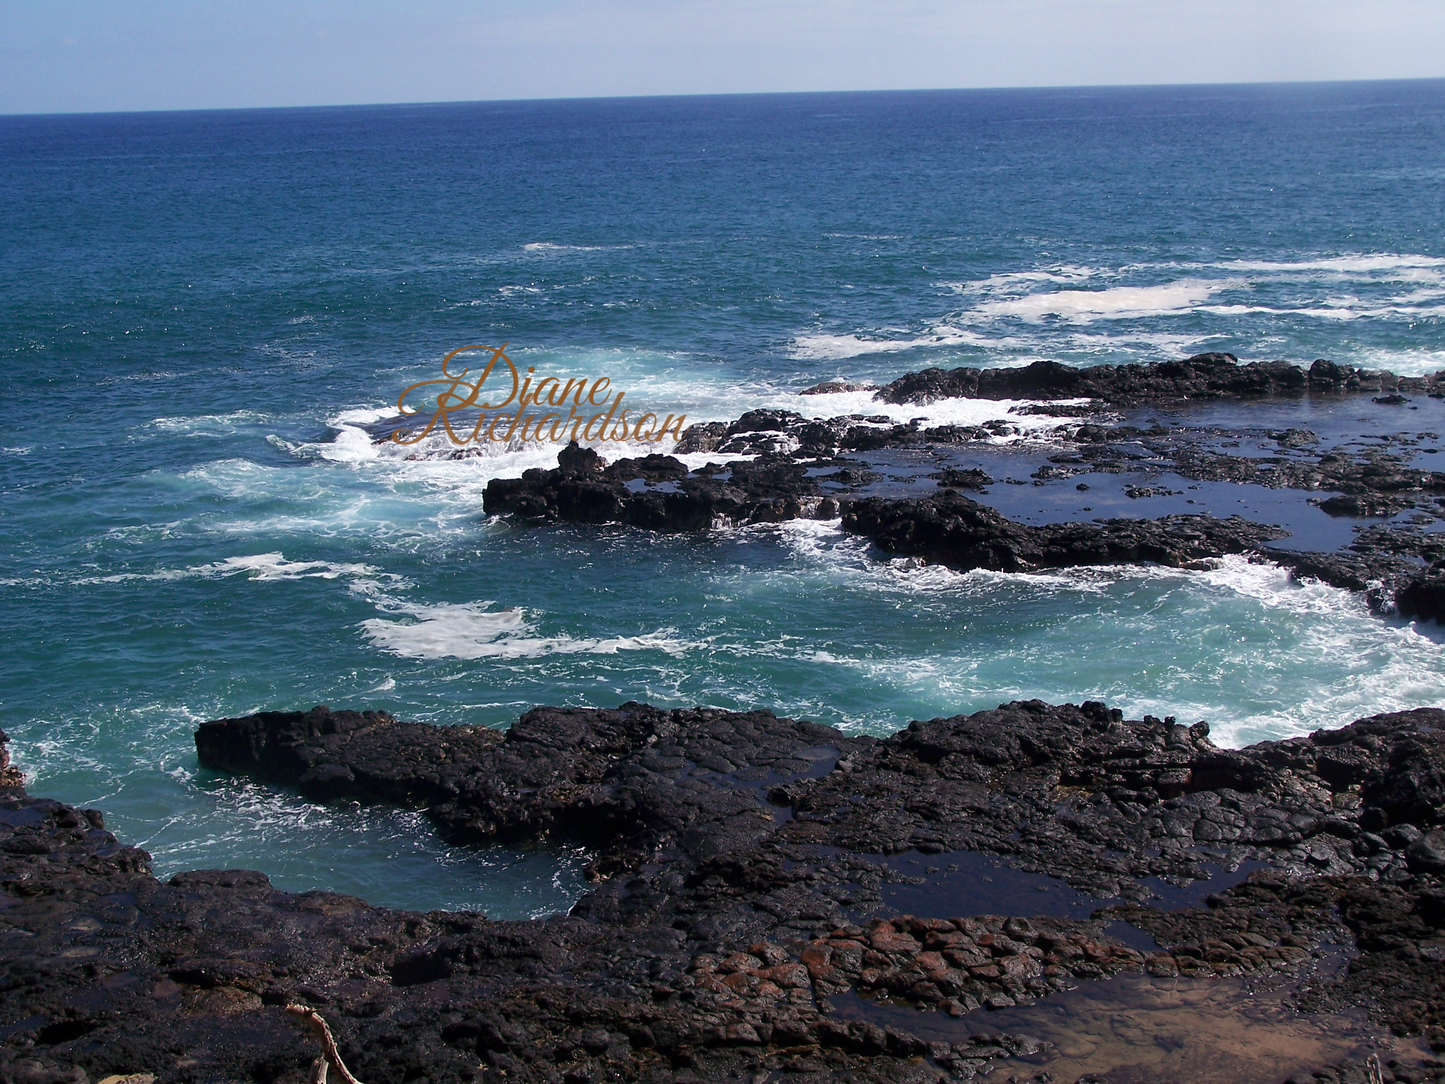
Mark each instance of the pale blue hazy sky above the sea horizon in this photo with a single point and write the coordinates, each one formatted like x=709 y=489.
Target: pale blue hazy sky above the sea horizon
x=108 y=56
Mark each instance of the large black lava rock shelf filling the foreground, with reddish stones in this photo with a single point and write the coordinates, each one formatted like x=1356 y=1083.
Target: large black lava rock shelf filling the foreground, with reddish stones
x=738 y=923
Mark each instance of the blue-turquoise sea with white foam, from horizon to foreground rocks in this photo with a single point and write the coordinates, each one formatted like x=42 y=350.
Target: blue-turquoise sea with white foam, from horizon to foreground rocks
x=199 y=313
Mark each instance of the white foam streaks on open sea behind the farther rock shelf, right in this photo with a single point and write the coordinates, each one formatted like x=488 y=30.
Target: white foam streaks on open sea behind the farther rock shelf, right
x=1138 y=314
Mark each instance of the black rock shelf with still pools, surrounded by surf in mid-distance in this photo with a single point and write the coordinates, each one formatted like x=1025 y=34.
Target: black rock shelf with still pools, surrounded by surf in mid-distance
x=832 y=470
